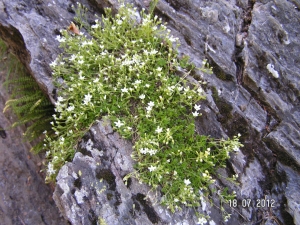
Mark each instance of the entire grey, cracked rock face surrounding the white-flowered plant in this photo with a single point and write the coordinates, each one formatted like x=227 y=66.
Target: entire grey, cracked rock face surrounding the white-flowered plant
x=254 y=48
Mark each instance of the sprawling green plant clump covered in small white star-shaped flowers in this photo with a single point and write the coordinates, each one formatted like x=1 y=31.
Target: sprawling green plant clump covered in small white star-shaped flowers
x=124 y=70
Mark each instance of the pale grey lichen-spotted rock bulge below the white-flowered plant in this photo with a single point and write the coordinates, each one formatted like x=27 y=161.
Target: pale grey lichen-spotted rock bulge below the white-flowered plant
x=92 y=186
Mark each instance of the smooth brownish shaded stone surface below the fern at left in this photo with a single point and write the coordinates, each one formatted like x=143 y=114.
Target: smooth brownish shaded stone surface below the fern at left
x=25 y=198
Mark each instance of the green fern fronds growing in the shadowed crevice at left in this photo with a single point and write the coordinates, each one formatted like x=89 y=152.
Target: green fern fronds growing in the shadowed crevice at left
x=27 y=101
